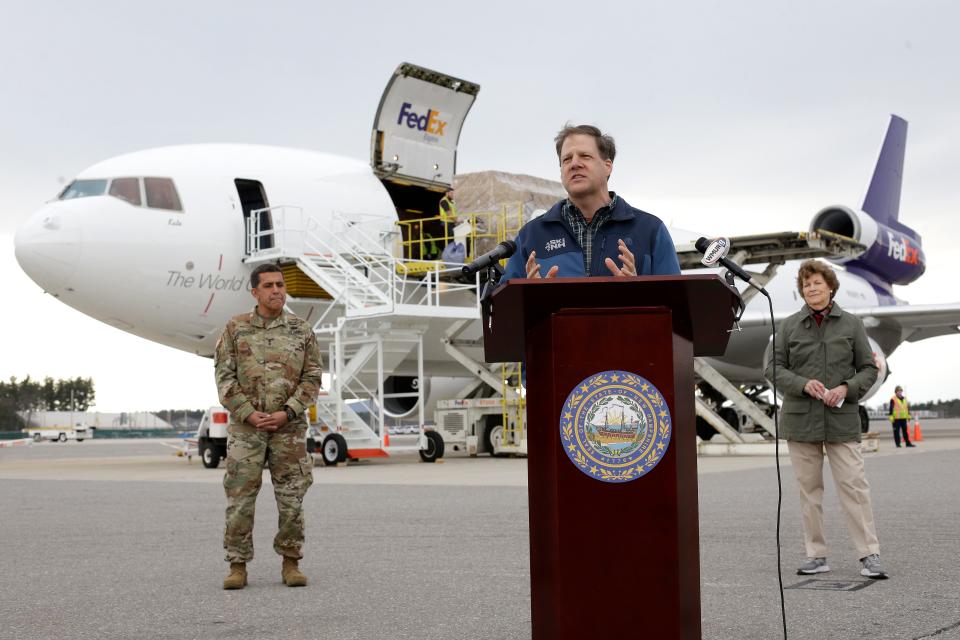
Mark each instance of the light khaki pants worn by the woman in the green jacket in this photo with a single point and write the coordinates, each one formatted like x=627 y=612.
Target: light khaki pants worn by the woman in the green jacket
x=846 y=464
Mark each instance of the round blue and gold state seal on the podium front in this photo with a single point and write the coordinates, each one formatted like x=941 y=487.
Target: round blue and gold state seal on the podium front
x=615 y=426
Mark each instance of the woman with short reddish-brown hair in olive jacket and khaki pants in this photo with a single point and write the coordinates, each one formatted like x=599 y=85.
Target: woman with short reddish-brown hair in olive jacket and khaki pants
x=824 y=365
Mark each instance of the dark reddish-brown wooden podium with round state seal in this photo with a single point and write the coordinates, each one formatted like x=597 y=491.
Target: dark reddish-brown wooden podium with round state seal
x=614 y=540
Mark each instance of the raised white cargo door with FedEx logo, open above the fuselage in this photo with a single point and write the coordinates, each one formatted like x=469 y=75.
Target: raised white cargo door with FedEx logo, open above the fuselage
x=417 y=126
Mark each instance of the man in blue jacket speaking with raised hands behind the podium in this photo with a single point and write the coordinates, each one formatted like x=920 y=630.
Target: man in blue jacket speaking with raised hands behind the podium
x=593 y=232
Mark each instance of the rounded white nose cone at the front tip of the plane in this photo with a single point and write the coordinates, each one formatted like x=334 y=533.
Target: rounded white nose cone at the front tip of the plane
x=47 y=246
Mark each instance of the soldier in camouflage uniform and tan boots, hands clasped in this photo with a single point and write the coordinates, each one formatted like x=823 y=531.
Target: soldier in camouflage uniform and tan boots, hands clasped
x=268 y=373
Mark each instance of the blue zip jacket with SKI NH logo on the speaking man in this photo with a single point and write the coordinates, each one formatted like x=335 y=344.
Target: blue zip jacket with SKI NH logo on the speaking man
x=549 y=235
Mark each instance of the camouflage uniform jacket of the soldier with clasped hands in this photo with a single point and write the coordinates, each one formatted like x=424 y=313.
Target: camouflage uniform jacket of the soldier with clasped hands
x=266 y=365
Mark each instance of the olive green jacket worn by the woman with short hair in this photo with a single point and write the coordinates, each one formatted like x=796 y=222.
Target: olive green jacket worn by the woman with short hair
x=835 y=352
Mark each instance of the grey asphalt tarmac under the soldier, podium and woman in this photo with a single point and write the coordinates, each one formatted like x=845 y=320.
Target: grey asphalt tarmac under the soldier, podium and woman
x=116 y=539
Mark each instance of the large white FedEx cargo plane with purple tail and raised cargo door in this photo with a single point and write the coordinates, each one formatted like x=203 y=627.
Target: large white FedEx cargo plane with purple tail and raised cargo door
x=187 y=224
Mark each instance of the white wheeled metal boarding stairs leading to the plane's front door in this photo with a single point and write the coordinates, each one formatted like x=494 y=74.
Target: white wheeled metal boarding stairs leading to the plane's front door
x=369 y=316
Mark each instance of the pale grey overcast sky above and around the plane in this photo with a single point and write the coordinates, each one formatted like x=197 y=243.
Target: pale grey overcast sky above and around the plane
x=730 y=118
